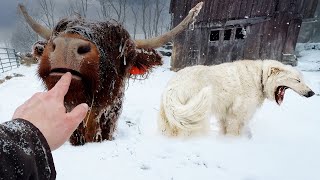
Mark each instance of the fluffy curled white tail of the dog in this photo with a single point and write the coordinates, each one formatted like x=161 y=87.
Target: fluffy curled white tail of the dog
x=191 y=115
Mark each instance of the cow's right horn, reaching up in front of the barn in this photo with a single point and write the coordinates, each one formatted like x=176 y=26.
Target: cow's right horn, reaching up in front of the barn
x=162 y=39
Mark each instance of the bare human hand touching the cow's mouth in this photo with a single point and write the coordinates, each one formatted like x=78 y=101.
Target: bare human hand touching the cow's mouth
x=47 y=112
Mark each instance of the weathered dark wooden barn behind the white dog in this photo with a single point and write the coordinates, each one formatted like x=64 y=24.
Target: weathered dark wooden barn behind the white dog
x=229 y=30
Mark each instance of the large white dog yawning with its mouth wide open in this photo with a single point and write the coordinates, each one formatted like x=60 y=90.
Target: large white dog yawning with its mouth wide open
x=231 y=92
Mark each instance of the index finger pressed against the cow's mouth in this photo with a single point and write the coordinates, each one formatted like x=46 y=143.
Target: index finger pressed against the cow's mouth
x=62 y=86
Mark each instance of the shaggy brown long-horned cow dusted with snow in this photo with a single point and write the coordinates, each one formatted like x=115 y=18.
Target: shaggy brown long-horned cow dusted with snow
x=101 y=56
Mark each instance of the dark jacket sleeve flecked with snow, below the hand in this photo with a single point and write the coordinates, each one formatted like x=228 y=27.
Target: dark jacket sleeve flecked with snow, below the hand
x=24 y=152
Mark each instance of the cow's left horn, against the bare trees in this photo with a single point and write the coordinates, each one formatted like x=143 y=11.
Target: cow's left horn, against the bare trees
x=38 y=28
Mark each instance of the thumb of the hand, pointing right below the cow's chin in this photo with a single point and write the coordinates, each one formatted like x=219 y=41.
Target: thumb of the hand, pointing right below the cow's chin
x=77 y=115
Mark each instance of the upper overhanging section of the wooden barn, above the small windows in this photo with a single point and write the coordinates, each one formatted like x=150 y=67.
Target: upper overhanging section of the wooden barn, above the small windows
x=240 y=9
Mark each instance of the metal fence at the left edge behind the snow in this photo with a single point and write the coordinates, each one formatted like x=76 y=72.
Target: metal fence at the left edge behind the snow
x=8 y=59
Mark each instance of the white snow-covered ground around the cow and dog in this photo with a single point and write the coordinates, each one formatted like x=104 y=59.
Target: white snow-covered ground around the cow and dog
x=285 y=141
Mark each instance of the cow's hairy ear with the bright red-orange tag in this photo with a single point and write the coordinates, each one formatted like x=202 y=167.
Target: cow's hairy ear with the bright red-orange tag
x=145 y=60
